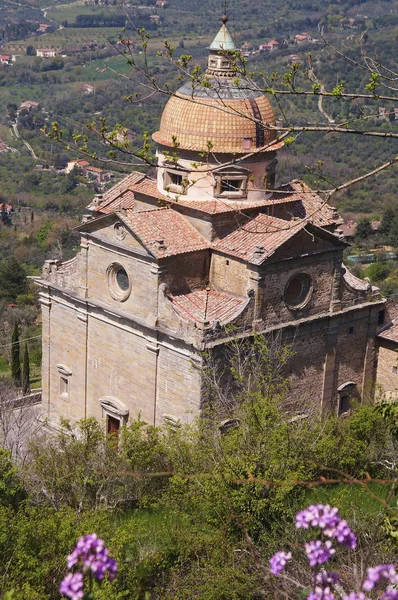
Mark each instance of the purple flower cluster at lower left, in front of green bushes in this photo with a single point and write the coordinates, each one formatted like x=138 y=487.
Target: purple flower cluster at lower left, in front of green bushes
x=91 y=556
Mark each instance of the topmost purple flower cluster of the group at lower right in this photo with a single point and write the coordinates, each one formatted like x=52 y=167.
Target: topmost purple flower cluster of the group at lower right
x=328 y=519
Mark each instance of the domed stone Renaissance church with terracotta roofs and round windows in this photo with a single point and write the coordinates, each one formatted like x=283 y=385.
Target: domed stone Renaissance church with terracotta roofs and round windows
x=169 y=267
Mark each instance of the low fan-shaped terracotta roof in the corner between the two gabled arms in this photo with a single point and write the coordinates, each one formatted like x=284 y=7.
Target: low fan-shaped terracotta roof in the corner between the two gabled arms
x=204 y=306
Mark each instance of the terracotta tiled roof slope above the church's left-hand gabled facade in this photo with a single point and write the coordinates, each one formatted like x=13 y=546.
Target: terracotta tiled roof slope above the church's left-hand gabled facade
x=164 y=232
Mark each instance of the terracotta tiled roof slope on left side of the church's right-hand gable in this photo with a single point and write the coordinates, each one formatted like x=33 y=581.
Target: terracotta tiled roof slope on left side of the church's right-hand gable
x=259 y=238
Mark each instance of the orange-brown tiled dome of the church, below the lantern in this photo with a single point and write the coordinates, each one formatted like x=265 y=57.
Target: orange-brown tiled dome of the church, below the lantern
x=228 y=115
